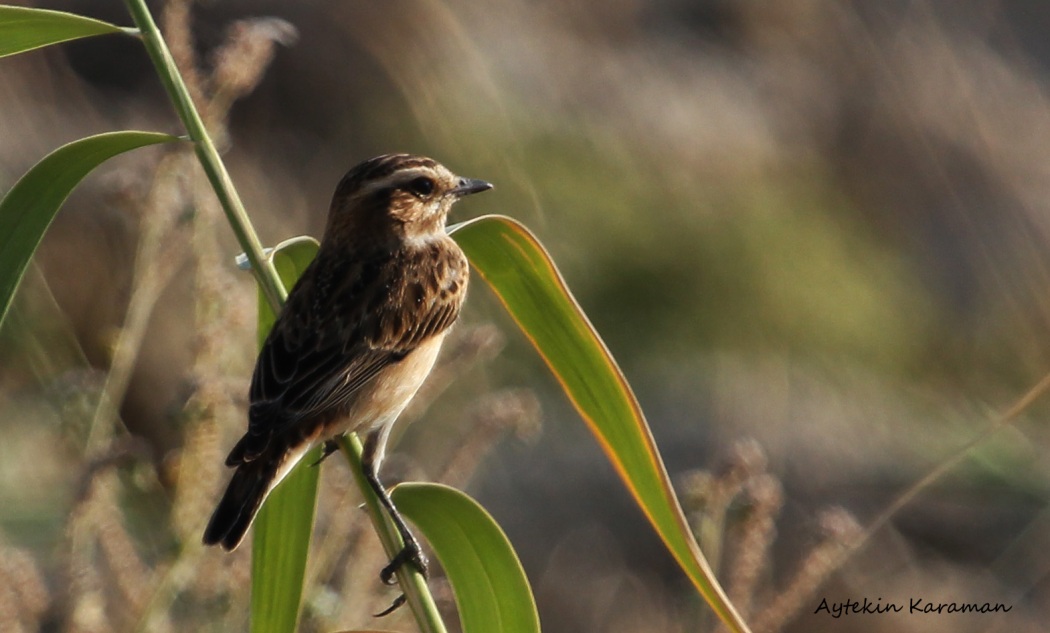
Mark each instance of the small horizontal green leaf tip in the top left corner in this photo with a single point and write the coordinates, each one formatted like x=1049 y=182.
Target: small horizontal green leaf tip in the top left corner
x=24 y=29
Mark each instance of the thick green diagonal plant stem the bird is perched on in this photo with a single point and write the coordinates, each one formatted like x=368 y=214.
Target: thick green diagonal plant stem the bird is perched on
x=414 y=586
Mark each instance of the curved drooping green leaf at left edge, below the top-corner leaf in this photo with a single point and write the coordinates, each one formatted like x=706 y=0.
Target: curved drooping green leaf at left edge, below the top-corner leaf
x=32 y=204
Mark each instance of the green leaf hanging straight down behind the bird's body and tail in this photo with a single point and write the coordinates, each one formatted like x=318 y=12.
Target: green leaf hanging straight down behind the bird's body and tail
x=283 y=531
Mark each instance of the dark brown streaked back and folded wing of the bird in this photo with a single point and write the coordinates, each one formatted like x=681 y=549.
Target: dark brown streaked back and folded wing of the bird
x=320 y=355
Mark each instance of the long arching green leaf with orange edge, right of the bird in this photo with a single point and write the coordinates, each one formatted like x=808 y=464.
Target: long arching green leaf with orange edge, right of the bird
x=520 y=271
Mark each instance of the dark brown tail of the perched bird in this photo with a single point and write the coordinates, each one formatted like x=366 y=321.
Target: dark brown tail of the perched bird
x=244 y=497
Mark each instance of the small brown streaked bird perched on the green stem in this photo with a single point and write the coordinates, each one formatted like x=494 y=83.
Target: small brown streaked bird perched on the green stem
x=358 y=336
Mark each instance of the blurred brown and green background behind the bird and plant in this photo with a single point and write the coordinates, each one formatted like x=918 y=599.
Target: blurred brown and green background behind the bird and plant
x=814 y=235
